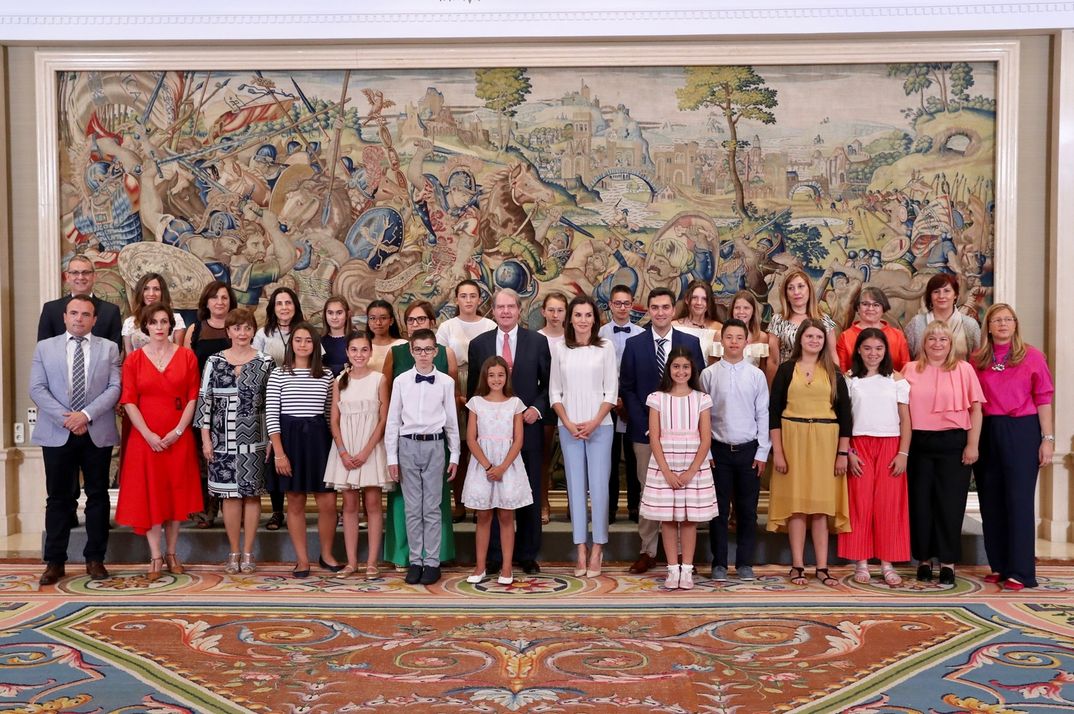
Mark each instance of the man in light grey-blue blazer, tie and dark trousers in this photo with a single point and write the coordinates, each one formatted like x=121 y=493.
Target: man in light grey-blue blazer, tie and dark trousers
x=75 y=381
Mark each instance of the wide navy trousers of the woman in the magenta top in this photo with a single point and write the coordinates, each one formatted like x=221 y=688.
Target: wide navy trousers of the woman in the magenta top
x=1007 y=486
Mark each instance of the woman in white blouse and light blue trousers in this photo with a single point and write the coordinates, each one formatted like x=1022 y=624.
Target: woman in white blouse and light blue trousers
x=584 y=389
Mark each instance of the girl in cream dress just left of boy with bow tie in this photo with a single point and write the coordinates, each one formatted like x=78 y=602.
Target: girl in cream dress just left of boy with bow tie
x=359 y=465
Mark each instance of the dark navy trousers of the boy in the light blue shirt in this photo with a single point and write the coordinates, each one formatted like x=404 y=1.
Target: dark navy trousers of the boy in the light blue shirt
x=737 y=482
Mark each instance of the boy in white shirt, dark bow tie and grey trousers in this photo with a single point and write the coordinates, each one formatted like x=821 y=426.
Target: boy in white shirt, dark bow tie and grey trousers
x=422 y=415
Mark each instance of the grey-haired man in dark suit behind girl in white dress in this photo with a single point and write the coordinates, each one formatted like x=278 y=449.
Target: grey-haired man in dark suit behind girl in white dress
x=528 y=355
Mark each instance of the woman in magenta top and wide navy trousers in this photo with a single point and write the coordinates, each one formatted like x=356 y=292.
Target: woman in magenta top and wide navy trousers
x=1017 y=440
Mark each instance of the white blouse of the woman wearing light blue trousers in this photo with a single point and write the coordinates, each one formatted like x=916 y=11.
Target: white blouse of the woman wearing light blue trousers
x=584 y=378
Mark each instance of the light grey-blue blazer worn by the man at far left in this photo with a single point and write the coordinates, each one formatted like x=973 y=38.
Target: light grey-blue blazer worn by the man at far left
x=51 y=390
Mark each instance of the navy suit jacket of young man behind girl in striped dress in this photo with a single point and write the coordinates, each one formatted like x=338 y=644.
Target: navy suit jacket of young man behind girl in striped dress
x=640 y=376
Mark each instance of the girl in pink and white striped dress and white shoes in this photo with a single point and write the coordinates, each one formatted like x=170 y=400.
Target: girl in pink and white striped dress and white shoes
x=679 y=488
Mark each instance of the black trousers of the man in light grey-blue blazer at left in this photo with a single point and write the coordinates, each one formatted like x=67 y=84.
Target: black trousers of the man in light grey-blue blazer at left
x=63 y=465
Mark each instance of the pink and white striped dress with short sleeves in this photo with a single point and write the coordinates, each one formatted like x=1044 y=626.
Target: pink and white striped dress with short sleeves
x=680 y=440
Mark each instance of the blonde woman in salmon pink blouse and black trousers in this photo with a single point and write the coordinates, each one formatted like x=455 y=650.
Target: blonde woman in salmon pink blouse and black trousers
x=946 y=402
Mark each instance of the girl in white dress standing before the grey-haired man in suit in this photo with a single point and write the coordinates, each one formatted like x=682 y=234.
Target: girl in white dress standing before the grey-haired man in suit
x=497 y=478
